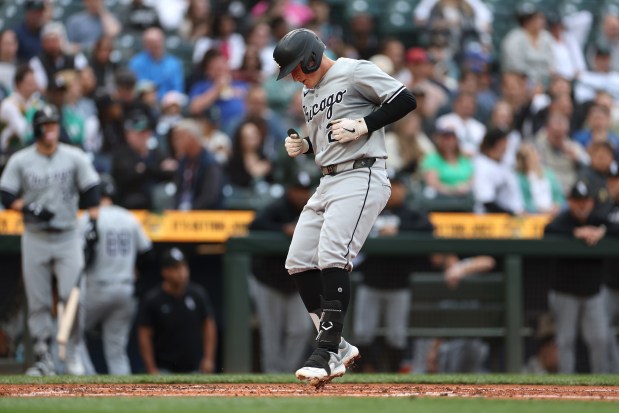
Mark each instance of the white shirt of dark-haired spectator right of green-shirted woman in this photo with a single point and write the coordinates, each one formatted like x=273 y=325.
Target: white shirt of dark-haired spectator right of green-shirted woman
x=495 y=182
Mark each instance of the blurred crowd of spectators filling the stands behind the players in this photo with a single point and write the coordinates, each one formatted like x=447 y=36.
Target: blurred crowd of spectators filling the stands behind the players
x=176 y=100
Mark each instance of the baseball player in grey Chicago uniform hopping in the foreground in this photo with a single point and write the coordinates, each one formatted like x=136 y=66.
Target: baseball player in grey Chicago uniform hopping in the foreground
x=346 y=104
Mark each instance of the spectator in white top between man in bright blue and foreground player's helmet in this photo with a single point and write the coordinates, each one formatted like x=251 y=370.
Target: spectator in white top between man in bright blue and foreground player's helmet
x=225 y=39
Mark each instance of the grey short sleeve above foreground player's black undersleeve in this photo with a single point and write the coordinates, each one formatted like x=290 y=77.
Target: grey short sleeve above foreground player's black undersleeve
x=374 y=84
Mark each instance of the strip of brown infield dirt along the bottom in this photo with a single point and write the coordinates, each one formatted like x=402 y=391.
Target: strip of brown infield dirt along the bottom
x=302 y=390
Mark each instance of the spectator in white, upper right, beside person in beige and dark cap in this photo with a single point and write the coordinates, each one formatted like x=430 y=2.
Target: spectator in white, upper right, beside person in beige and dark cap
x=568 y=56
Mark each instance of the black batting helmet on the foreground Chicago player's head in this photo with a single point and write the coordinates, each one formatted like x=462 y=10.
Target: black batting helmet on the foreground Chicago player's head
x=298 y=46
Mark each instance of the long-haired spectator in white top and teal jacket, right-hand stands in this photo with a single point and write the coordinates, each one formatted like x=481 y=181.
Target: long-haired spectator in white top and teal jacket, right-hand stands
x=541 y=191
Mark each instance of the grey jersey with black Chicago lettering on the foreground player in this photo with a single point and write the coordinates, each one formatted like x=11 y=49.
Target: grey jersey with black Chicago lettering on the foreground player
x=350 y=89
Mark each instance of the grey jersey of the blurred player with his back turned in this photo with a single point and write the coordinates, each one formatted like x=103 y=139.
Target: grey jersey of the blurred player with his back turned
x=121 y=238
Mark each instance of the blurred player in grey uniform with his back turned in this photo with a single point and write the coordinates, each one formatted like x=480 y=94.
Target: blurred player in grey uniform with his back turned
x=110 y=279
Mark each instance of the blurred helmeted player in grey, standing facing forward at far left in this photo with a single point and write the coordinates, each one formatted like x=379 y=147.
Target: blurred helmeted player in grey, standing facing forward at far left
x=45 y=182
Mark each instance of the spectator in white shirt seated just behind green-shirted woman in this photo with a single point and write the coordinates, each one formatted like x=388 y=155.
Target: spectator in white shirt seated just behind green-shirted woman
x=470 y=131
